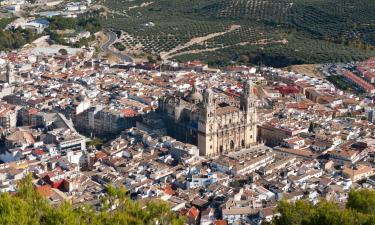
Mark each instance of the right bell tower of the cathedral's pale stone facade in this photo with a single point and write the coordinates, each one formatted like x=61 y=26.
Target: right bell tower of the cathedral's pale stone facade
x=247 y=105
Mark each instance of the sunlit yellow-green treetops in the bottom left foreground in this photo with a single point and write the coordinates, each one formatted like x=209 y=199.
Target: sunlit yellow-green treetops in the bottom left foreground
x=29 y=207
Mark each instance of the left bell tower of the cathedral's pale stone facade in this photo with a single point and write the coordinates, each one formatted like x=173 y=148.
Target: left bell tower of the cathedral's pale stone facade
x=207 y=124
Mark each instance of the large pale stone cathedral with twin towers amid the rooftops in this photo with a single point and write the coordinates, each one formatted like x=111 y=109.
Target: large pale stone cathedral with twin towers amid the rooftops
x=211 y=122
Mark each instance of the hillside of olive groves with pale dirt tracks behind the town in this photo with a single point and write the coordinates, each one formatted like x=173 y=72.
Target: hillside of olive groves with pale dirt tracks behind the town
x=275 y=32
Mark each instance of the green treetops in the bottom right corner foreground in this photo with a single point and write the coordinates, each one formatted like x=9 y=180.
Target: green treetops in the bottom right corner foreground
x=359 y=210
